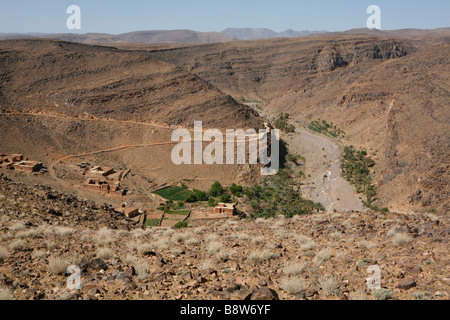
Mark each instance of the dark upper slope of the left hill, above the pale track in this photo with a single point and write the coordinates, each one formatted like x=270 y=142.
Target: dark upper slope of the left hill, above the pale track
x=74 y=79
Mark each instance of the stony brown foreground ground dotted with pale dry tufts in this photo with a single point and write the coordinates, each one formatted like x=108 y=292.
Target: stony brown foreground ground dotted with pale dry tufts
x=323 y=256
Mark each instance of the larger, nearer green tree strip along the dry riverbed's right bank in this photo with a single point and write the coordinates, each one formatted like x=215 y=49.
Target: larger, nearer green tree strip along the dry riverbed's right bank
x=356 y=170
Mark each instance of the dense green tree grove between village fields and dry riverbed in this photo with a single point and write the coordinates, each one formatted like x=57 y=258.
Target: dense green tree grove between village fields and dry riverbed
x=278 y=196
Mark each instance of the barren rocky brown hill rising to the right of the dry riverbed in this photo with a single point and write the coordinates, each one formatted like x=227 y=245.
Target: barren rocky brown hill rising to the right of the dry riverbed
x=390 y=96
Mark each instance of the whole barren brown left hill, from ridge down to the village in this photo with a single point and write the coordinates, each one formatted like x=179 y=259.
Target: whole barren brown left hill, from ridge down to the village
x=73 y=99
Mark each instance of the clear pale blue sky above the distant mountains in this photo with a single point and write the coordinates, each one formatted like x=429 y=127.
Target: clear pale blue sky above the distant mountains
x=113 y=16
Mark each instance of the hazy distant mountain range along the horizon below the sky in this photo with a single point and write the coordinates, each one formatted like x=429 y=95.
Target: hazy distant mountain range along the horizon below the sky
x=195 y=37
